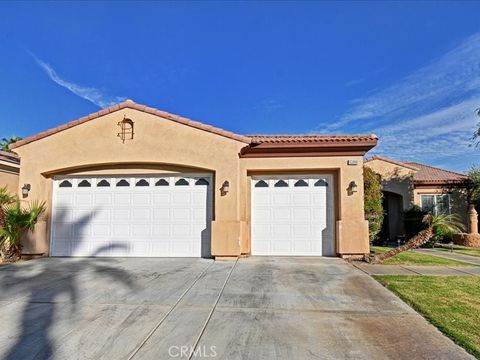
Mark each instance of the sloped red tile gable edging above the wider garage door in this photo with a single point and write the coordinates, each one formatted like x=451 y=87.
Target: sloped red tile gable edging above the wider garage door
x=132 y=105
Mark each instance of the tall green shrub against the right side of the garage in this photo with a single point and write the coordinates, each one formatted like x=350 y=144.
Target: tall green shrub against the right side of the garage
x=373 y=199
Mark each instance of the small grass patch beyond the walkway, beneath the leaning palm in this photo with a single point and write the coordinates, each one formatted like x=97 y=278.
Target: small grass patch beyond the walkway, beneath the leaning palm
x=412 y=258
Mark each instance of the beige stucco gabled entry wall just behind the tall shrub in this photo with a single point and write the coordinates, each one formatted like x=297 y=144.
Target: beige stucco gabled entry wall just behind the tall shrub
x=396 y=179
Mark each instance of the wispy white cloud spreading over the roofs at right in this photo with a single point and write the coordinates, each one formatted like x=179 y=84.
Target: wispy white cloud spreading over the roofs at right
x=429 y=115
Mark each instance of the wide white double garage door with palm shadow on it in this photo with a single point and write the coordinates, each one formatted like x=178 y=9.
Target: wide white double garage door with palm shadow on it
x=132 y=216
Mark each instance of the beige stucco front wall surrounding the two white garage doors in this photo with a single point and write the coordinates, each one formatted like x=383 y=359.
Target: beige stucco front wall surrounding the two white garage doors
x=161 y=145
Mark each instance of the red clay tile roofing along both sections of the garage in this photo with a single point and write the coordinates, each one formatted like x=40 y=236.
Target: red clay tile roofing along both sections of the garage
x=253 y=139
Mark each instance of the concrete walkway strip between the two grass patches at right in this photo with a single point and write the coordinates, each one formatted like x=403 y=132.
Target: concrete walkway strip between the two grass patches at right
x=416 y=270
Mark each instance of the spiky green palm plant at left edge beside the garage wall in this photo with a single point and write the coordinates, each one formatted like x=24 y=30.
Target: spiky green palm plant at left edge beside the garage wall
x=17 y=220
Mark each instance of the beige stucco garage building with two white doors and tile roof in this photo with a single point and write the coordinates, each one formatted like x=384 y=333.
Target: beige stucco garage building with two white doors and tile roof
x=131 y=180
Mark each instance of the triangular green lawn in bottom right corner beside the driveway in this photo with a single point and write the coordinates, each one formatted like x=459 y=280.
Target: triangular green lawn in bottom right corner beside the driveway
x=451 y=303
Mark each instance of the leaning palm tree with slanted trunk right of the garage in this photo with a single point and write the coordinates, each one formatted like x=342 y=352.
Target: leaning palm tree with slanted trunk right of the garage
x=435 y=223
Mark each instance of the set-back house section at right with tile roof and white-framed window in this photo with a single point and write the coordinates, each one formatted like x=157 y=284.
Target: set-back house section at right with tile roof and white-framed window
x=406 y=184
